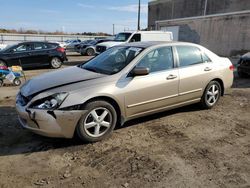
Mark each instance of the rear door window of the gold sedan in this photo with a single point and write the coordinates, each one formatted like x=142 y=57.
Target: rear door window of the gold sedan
x=189 y=55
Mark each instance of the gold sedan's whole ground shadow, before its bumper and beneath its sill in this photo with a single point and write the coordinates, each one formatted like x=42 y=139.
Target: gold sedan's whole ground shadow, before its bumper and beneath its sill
x=16 y=140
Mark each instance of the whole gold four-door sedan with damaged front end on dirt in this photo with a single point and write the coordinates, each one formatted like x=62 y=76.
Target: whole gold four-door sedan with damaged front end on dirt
x=123 y=83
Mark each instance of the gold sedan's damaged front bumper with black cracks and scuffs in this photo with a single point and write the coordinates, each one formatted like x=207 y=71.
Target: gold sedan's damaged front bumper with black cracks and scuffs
x=56 y=123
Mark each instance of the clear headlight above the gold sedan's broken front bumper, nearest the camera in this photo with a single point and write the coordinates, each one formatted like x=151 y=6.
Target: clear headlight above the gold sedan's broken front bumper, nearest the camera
x=50 y=102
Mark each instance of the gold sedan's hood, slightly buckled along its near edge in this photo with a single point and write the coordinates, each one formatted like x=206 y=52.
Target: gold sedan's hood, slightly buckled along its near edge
x=57 y=79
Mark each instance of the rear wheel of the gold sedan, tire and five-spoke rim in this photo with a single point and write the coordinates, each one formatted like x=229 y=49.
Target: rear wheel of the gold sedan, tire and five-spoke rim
x=211 y=95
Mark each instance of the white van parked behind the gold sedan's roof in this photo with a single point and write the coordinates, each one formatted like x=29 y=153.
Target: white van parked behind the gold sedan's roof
x=138 y=36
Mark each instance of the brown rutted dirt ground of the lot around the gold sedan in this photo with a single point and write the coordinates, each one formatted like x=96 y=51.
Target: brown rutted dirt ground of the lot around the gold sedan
x=186 y=147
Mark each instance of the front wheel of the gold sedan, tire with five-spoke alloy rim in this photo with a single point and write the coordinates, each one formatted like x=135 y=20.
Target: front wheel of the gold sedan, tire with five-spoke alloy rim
x=92 y=127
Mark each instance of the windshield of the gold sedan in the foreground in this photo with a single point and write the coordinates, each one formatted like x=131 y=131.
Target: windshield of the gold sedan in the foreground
x=112 y=60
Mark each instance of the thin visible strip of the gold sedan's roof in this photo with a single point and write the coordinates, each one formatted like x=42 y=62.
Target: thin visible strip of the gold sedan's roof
x=154 y=43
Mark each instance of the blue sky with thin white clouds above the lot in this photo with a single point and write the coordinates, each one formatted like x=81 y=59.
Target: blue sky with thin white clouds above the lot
x=72 y=15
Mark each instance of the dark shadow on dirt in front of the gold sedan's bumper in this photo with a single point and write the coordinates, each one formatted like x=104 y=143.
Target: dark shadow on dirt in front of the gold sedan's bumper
x=16 y=140
